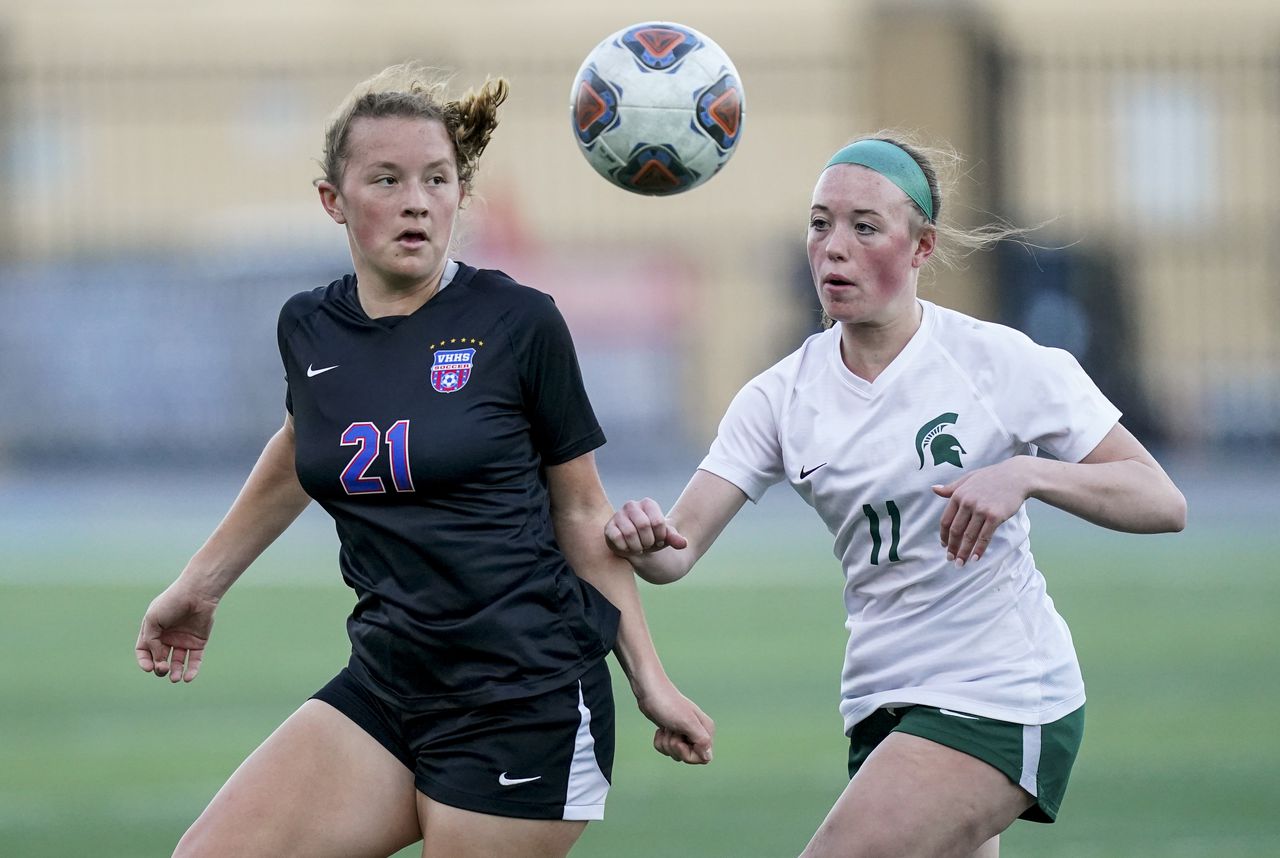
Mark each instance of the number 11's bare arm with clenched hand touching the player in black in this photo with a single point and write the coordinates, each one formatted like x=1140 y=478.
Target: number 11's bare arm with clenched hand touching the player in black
x=662 y=549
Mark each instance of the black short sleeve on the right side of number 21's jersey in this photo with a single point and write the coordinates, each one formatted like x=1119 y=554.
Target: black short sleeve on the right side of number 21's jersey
x=559 y=410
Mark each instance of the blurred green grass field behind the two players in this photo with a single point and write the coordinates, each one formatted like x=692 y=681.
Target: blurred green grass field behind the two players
x=1177 y=636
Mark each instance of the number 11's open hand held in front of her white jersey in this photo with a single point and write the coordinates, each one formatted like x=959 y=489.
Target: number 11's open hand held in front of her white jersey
x=980 y=503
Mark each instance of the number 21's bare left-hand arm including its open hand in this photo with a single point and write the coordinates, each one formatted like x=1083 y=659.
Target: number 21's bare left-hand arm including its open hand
x=182 y=617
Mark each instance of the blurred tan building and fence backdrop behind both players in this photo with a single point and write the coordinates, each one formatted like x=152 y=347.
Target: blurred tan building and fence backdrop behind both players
x=158 y=161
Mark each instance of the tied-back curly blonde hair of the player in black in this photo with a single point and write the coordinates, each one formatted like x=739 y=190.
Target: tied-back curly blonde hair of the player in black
x=417 y=92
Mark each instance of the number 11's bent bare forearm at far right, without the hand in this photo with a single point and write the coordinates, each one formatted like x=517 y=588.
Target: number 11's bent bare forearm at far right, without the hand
x=1118 y=486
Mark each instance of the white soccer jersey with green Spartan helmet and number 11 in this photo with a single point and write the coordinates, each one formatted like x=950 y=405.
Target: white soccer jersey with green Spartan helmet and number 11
x=961 y=396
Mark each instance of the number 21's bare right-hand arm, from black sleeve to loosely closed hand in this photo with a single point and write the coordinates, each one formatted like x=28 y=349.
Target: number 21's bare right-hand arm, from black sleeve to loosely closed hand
x=579 y=514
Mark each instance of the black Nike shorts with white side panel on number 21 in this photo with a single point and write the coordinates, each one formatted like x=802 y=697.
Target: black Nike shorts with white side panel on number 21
x=545 y=757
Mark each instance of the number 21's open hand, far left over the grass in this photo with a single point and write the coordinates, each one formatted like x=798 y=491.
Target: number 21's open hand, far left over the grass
x=175 y=633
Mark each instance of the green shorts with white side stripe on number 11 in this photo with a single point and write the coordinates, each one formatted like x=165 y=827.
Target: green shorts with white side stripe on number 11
x=1036 y=757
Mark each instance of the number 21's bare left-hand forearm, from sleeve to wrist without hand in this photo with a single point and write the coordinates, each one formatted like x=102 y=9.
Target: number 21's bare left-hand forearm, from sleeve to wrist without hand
x=271 y=500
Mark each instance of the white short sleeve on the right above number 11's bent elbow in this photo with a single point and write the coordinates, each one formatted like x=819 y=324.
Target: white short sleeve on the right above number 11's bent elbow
x=1058 y=407
